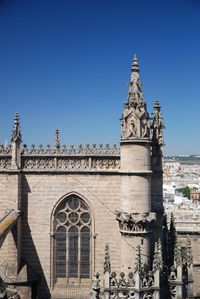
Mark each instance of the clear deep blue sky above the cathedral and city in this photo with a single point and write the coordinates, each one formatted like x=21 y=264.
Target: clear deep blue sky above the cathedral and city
x=66 y=64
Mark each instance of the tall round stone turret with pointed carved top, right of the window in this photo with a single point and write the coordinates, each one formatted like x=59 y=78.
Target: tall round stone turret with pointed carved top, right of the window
x=135 y=216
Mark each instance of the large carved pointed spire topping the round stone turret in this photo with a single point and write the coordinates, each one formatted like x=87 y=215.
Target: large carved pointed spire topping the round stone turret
x=135 y=118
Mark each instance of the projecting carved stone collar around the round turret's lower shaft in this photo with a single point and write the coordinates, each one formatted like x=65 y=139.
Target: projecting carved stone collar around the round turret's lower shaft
x=135 y=223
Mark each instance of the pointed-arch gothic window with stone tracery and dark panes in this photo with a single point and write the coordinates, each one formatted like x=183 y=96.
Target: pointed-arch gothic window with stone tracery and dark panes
x=72 y=227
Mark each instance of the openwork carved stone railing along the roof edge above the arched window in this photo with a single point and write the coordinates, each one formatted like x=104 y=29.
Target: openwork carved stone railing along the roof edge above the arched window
x=84 y=158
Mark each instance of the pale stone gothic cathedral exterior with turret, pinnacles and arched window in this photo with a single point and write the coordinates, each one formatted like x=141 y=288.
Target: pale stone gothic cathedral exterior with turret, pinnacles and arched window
x=89 y=222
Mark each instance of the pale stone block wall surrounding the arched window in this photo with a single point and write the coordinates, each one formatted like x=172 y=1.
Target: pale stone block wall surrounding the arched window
x=42 y=193
